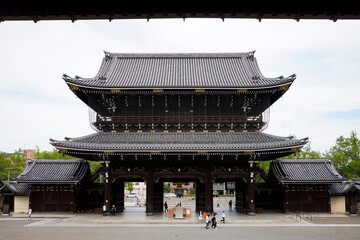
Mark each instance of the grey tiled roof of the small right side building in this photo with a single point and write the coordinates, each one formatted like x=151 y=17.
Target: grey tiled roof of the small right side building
x=305 y=171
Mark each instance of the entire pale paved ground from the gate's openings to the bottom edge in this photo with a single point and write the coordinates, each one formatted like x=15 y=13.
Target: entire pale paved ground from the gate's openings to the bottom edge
x=133 y=223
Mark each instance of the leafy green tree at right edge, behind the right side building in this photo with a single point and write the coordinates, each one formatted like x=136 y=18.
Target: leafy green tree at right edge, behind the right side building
x=345 y=155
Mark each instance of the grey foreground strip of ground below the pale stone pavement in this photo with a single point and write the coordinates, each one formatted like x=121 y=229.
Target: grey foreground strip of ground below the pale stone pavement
x=47 y=228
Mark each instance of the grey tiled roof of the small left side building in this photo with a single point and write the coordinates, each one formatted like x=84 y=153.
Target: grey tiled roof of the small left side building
x=50 y=171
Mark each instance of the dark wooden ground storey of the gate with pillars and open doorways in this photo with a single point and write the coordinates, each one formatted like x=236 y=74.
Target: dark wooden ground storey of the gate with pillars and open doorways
x=203 y=174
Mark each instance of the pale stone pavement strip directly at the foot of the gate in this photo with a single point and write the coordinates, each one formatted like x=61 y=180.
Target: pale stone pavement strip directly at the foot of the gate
x=137 y=215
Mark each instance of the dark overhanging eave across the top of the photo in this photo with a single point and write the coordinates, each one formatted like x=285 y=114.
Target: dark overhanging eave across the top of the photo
x=66 y=10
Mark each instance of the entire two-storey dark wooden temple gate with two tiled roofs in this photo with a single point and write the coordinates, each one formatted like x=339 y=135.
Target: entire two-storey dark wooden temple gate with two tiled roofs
x=179 y=118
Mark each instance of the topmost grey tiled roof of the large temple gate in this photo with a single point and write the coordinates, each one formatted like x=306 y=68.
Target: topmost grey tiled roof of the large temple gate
x=192 y=70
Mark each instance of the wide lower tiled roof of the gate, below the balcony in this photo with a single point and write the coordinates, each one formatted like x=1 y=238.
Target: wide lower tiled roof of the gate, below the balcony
x=178 y=141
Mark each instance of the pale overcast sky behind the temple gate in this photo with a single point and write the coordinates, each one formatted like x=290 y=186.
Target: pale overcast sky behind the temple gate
x=36 y=104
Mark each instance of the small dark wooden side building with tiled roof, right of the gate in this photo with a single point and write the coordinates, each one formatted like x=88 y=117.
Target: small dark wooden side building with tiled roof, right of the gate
x=305 y=183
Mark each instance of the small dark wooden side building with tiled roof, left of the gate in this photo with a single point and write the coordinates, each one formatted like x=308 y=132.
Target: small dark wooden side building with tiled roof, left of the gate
x=54 y=184
